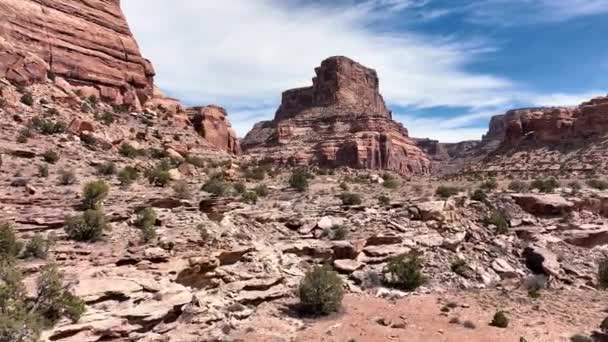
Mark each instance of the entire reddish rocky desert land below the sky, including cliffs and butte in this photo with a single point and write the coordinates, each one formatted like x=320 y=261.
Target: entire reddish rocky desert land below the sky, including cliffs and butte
x=127 y=216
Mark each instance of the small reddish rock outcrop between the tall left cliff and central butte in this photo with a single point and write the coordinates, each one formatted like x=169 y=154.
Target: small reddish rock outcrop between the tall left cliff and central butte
x=211 y=122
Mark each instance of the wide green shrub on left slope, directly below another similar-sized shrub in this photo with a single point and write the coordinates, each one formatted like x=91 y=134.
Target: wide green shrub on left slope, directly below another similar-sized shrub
x=87 y=227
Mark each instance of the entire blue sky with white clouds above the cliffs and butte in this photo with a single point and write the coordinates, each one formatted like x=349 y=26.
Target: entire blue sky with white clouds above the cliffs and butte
x=445 y=66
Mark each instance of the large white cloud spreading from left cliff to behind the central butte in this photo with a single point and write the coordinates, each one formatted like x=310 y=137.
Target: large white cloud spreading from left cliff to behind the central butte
x=244 y=53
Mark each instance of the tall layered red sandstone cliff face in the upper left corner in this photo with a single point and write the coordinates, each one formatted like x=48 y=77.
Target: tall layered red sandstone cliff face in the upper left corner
x=87 y=43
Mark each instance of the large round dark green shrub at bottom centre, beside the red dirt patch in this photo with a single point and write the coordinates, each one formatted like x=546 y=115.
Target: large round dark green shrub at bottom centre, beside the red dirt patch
x=321 y=291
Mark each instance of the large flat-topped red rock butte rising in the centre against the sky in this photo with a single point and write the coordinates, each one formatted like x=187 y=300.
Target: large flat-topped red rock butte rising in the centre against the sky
x=341 y=120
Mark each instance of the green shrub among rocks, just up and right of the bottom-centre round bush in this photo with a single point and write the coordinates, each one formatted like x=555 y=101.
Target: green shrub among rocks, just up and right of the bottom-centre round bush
x=404 y=272
